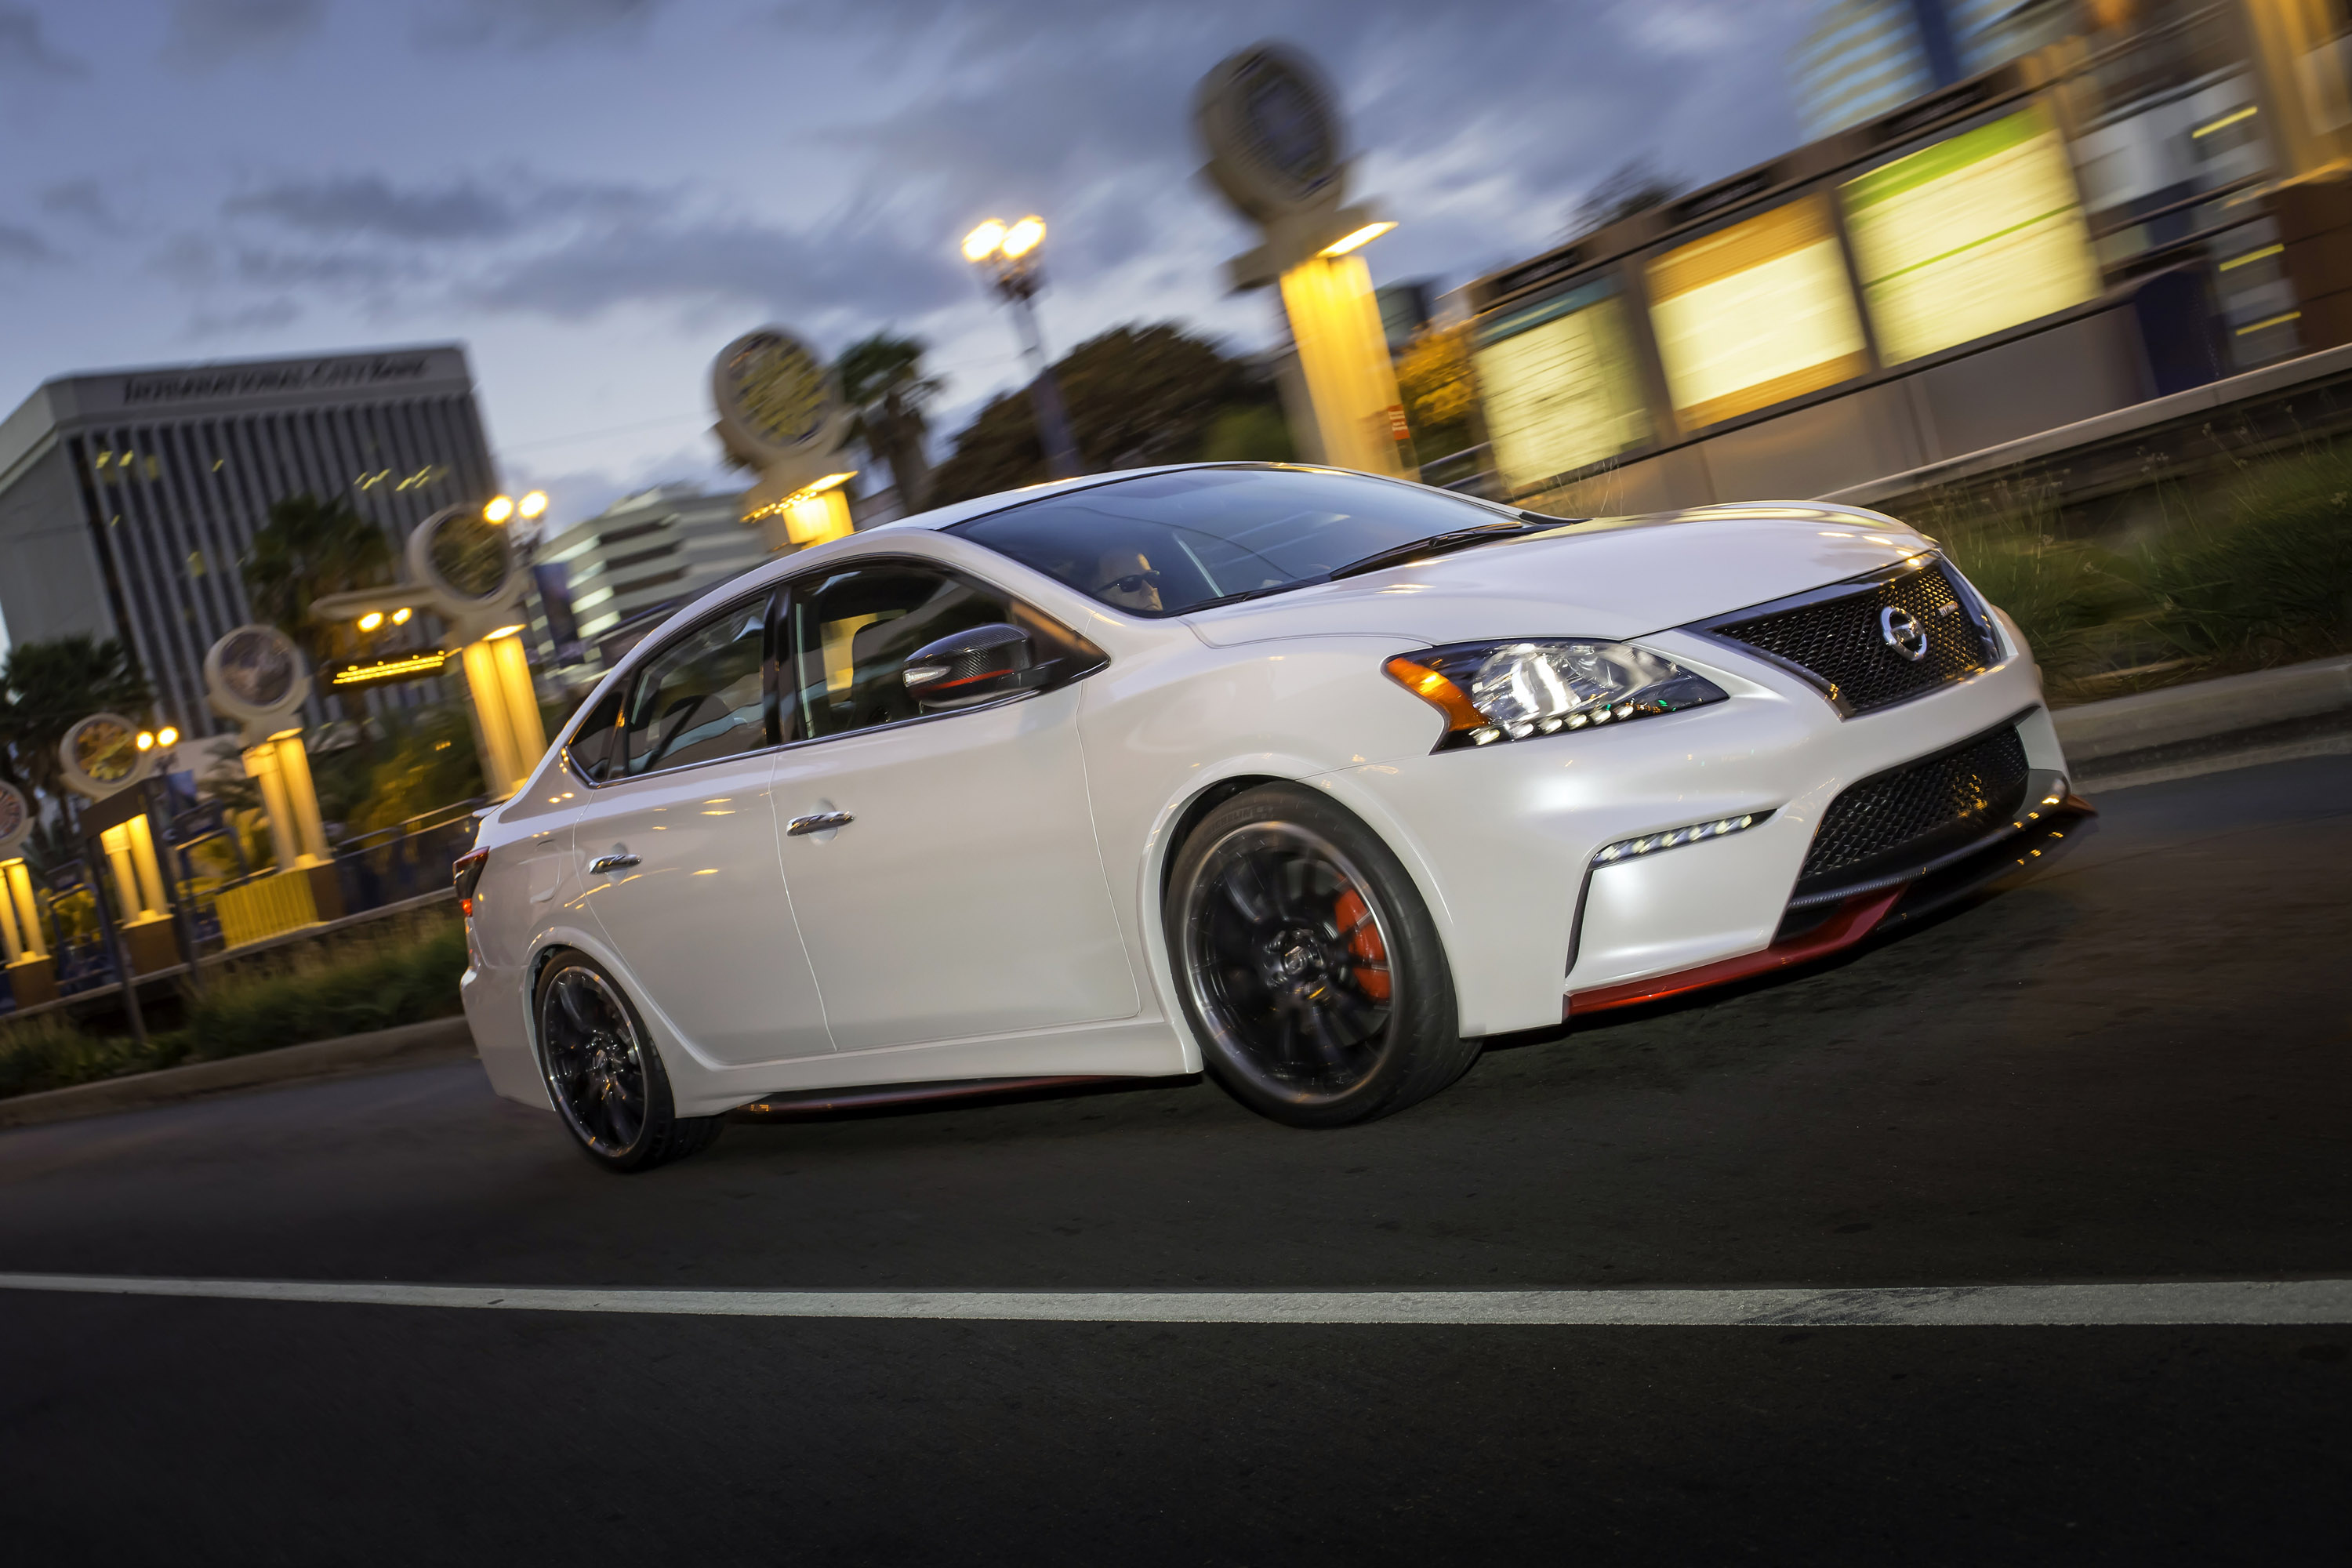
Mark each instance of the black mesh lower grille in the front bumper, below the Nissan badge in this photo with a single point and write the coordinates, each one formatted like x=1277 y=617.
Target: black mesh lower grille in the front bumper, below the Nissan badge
x=1918 y=812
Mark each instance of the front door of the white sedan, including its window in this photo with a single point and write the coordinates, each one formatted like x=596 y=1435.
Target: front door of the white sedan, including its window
x=961 y=890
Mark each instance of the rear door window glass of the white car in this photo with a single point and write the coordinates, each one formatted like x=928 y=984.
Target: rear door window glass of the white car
x=702 y=697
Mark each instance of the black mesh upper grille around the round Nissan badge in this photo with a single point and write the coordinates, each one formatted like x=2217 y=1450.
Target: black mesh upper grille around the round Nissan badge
x=1840 y=641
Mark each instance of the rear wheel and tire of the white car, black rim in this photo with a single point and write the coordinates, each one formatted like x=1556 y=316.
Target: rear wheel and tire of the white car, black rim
x=606 y=1076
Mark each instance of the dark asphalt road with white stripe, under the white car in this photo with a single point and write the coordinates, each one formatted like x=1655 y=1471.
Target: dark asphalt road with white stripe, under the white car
x=2137 y=1068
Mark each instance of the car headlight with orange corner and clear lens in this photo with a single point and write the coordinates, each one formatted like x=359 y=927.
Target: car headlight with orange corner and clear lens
x=1516 y=690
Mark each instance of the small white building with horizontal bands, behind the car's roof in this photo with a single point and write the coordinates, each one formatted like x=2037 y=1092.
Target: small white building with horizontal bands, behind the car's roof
x=660 y=547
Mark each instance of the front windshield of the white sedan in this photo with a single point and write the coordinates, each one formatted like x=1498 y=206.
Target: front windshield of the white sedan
x=1175 y=542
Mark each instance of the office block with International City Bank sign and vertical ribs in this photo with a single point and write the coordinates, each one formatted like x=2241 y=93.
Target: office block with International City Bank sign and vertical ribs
x=131 y=497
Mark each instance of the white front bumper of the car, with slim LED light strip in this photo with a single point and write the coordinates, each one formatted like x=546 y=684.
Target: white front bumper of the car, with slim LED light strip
x=1504 y=840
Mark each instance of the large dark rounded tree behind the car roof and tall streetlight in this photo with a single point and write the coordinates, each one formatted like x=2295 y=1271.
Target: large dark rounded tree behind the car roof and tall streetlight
x=1137 y=396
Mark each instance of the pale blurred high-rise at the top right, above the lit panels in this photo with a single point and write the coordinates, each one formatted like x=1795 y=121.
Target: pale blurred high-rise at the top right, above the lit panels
x=1866 y=58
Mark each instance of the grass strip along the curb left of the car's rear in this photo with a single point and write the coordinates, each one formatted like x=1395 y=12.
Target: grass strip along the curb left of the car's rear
x=352 y=993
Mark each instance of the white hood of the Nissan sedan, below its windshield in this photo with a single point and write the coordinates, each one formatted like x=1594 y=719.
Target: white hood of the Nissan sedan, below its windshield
x=1612 y=577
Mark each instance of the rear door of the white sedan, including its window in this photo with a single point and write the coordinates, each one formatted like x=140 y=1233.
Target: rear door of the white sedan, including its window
x=681 y=847
